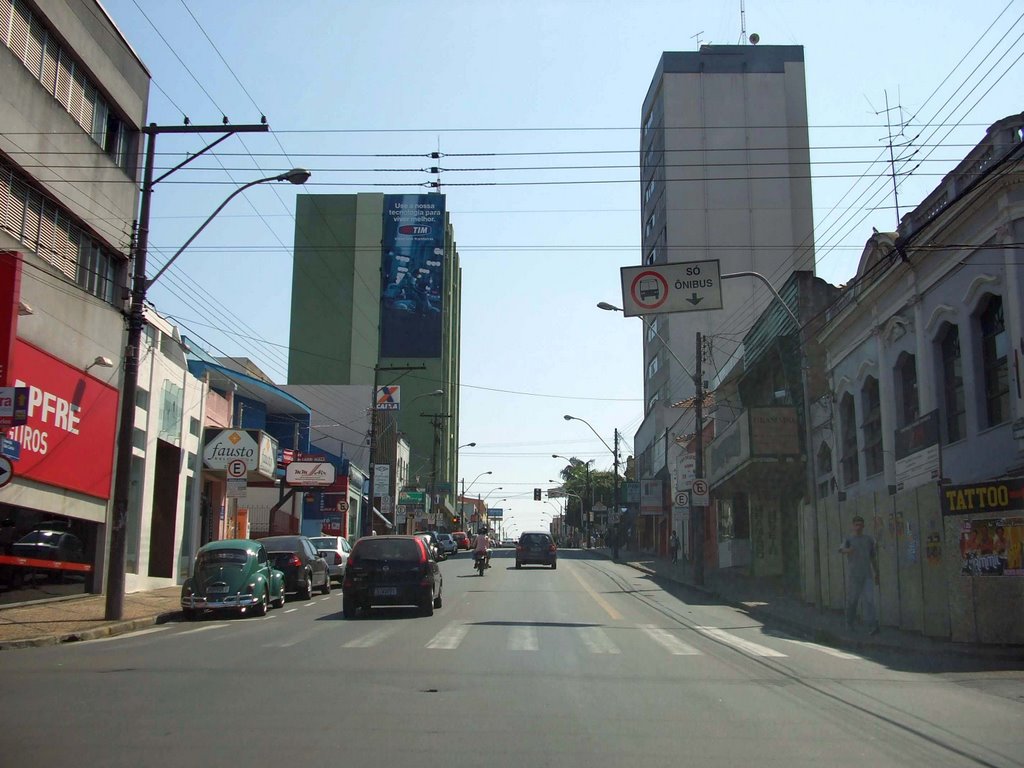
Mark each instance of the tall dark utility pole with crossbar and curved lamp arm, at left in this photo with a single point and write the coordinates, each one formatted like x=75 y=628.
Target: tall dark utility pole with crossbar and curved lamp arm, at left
x=114 y=608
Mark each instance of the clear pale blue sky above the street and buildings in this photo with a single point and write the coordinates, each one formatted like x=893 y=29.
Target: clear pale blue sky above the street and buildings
x=535 y=107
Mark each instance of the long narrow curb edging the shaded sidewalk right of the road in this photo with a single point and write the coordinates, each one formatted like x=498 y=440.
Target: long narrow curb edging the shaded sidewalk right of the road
x=828 y=637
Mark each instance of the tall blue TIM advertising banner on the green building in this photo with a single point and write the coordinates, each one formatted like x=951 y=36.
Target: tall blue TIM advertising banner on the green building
x=412 y=276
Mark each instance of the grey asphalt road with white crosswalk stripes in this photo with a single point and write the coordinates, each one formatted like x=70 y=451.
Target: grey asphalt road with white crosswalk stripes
x=590 y=665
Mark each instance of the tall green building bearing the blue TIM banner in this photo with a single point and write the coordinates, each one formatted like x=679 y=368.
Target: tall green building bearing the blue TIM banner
x=376 y=300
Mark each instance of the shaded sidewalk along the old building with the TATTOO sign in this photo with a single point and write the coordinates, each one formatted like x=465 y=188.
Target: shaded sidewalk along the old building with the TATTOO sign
x=765 y=602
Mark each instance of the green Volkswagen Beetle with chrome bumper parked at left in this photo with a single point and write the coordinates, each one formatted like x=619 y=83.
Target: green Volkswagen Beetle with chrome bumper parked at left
x=233 y=575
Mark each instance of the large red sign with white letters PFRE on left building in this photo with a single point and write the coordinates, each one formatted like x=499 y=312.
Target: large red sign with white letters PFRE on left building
x=69 y=439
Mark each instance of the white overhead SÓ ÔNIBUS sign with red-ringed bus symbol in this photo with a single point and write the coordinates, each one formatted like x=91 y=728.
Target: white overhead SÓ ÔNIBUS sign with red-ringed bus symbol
x=684 y=287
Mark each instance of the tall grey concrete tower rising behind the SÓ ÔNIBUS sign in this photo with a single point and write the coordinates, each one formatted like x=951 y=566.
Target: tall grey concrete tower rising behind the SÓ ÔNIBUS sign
x=726 y=175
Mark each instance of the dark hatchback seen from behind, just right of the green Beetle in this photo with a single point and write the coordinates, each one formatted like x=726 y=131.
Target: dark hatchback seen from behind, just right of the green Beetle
x=392 y=571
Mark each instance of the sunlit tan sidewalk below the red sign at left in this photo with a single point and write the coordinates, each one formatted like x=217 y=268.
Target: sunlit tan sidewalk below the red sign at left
x=81 y=618
